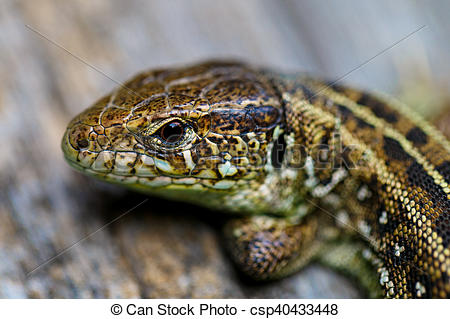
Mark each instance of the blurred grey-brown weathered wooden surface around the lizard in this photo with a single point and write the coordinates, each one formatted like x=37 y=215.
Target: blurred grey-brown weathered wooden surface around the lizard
x=164 y=249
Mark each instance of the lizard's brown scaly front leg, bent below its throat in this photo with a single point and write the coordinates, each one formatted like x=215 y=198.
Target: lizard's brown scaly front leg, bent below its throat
x=266 y=247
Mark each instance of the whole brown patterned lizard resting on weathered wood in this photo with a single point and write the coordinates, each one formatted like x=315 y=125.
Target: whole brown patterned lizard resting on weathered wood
x=286 y=154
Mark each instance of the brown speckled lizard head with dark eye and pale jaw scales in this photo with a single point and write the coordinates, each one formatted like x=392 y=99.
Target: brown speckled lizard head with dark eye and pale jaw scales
x=205 y=127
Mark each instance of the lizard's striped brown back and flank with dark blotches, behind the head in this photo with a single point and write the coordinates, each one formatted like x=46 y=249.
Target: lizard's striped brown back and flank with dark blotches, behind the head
x=396 y=193
